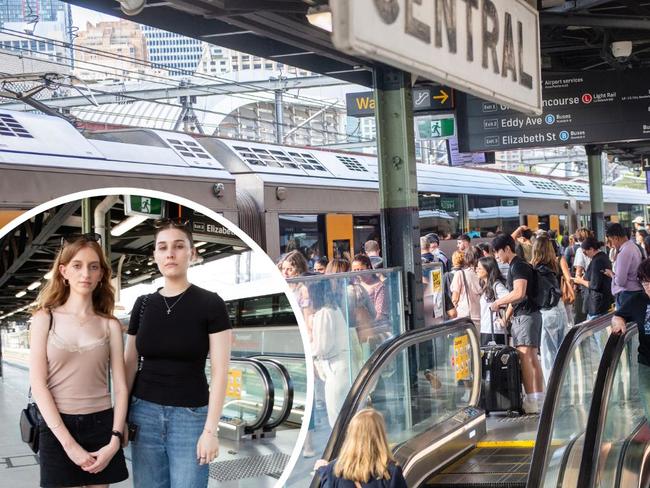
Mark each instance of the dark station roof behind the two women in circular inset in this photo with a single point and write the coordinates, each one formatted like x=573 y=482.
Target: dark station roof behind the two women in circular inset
x=29 y=250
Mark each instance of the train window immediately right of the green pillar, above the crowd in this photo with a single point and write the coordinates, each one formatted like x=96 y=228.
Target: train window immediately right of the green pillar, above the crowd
x=440 y=214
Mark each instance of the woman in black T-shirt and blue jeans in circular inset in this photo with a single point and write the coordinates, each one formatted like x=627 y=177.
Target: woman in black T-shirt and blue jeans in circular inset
x=176 y=414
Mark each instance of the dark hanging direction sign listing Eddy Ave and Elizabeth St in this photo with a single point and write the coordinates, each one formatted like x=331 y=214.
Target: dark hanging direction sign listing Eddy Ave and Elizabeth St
x=581 y=108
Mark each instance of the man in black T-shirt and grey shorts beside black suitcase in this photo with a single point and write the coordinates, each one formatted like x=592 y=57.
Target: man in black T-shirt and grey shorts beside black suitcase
x=526 y=320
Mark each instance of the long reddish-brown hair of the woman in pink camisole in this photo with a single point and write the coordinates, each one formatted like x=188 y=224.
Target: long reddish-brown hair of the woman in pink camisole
x=55 y=293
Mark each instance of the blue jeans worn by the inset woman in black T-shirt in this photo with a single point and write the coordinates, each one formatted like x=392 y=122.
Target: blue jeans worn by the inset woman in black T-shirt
x=164 y=452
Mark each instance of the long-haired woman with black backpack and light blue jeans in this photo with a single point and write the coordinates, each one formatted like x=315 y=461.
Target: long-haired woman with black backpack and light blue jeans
x=554 y=315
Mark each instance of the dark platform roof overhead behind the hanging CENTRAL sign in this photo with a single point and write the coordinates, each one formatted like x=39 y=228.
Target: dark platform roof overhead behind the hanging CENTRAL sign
x=575 y=35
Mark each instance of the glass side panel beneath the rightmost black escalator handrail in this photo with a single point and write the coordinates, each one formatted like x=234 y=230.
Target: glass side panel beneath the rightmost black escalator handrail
x=623 y=416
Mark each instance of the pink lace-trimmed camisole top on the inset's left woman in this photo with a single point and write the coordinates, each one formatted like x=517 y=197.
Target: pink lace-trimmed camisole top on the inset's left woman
x=78 y=374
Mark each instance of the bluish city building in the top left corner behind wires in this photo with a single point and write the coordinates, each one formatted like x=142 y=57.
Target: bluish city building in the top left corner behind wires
x=25 y=24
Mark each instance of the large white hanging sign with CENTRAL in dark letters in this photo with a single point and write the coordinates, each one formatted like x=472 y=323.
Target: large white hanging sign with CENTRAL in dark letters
x=489 y=48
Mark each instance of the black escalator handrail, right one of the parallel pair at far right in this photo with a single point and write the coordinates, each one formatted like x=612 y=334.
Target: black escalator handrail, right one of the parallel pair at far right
x=599 y=404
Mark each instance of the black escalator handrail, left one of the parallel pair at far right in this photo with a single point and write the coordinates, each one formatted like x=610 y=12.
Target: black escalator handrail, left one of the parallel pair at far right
x=572 y=339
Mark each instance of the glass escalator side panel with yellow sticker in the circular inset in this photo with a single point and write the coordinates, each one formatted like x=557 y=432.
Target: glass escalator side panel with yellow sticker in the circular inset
x=249 y=393
